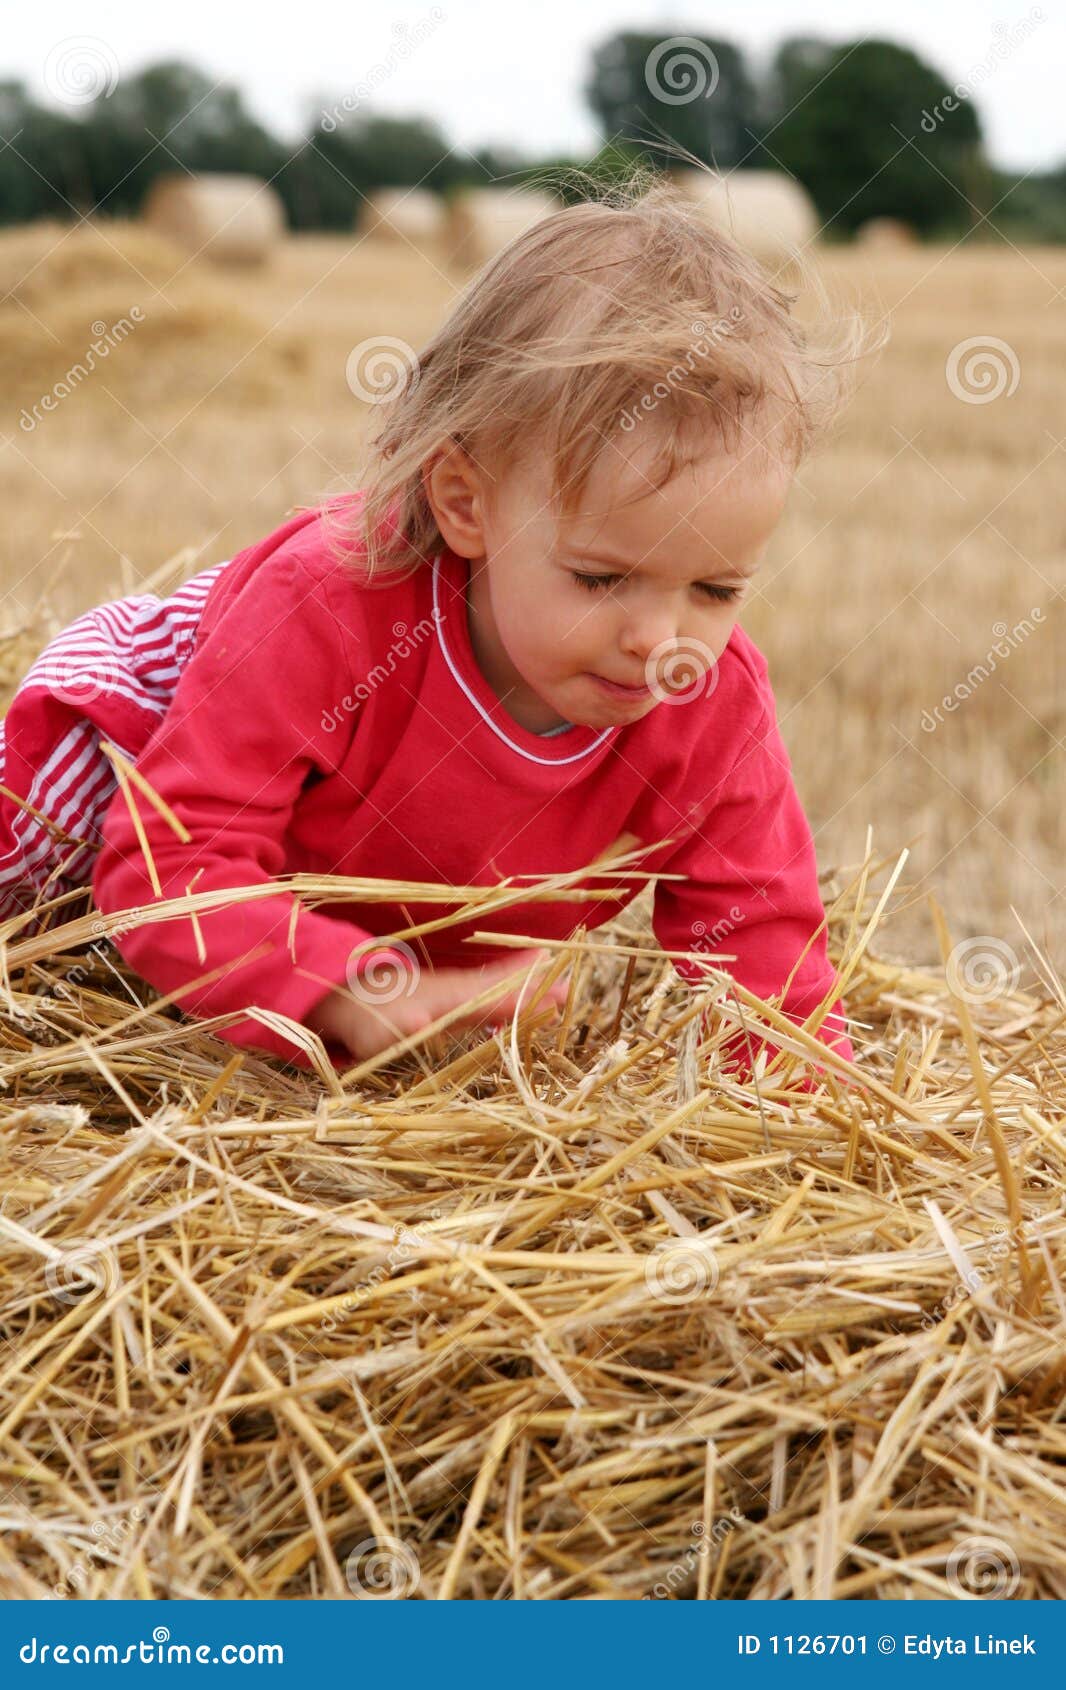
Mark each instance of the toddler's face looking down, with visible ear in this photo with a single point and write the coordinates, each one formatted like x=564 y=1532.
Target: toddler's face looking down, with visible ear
x=641 y=589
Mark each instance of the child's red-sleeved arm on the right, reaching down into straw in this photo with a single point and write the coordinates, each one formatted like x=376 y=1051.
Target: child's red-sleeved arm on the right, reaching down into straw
x=753 y=891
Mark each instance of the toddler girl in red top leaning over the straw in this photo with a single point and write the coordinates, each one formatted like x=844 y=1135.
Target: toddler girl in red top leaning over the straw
x=516 y=646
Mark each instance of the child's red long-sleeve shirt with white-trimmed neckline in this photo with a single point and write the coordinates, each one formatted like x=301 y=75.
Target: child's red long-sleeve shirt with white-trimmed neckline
x=334 y=728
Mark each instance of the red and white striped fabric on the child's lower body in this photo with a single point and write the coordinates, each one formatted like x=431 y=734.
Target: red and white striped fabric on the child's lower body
x=109 y=675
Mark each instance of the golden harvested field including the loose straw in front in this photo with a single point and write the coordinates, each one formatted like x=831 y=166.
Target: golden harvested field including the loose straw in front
x=563 y=1312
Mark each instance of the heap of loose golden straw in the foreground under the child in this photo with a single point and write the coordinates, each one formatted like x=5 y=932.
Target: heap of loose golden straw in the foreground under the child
x=558 y=1316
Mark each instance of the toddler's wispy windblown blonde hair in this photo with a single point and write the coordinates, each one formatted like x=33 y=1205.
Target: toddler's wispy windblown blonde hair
x=621 y=307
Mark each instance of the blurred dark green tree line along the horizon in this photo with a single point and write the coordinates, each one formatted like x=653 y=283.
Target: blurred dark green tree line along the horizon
x=869 y=129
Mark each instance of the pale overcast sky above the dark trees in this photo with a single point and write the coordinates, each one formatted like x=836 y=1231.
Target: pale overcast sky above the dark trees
x=496 y=72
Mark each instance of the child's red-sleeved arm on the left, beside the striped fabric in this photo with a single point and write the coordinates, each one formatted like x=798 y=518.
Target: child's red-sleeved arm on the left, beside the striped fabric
x=241 y=738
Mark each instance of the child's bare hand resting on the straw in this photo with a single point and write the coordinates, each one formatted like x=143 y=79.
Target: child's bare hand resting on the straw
x=367 y=1028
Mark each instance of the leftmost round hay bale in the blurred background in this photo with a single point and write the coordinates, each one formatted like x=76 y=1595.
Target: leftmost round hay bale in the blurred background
x=227 y=219
